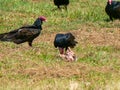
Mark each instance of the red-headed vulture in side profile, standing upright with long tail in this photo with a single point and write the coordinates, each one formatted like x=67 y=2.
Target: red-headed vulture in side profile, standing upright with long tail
x=25 y=33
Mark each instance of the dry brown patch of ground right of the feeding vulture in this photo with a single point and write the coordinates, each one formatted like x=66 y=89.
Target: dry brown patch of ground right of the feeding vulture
x=98 y=37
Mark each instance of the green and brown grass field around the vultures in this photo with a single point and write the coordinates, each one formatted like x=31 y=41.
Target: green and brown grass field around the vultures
x=40 y=68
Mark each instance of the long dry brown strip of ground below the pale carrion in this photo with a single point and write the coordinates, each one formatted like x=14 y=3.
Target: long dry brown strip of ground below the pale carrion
x=67 y=70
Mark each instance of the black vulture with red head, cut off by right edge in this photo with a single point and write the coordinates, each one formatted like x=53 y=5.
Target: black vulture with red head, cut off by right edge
x=113 y=9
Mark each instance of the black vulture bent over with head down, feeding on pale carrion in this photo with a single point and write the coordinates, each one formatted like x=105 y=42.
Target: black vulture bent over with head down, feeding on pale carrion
x=63 y=41
